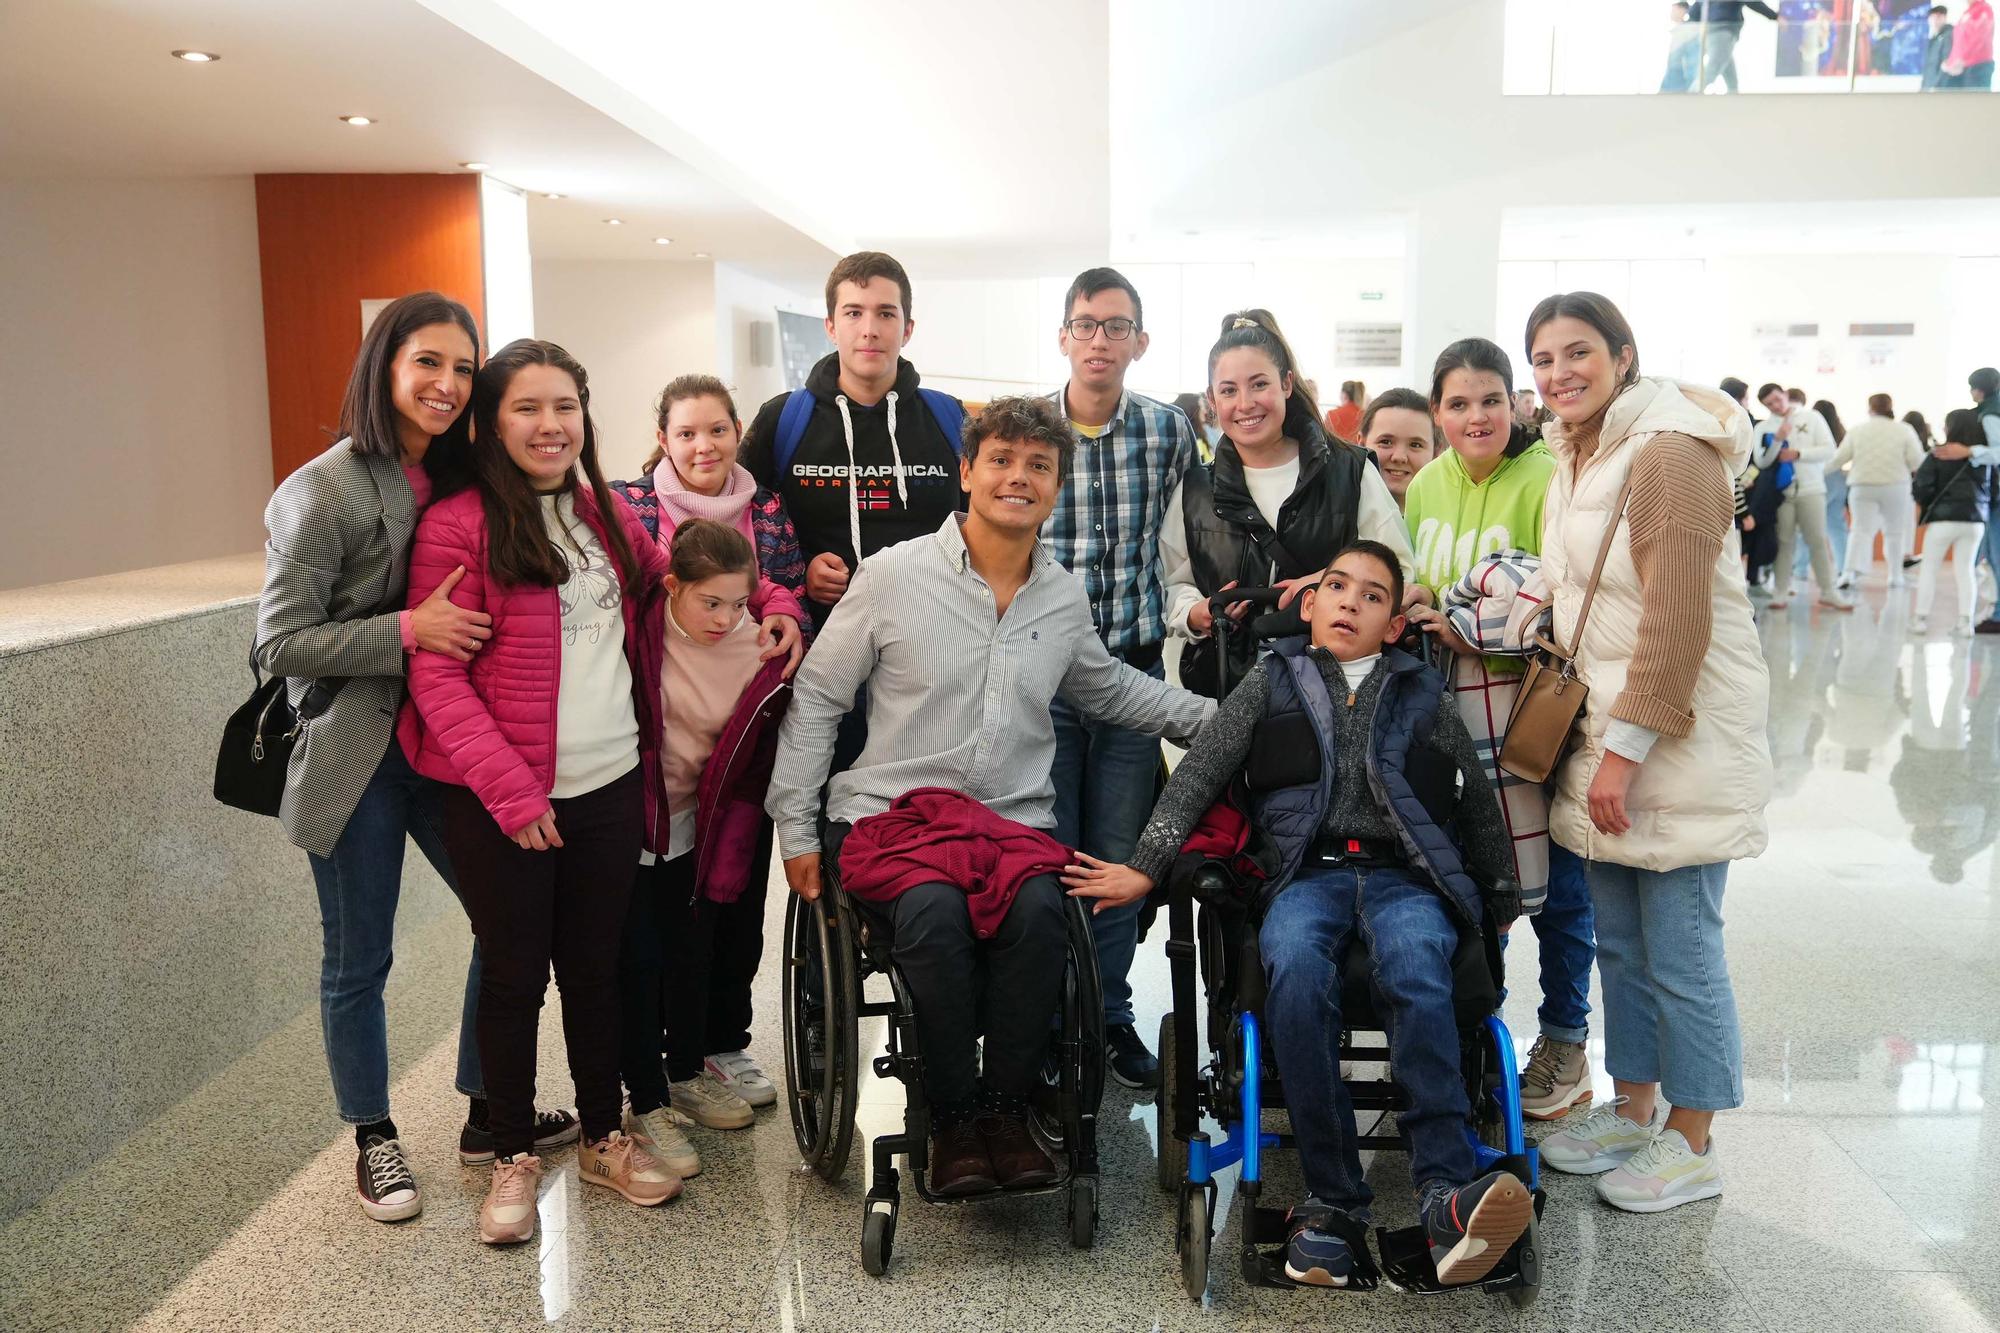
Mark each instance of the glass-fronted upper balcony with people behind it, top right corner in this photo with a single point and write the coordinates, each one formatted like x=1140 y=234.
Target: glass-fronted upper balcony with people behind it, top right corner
x=1641 y=47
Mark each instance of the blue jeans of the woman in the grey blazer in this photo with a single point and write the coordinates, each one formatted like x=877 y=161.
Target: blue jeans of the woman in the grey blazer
x=359 y=892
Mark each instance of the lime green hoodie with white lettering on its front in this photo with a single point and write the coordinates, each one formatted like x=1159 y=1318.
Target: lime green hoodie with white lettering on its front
x=1455 y=521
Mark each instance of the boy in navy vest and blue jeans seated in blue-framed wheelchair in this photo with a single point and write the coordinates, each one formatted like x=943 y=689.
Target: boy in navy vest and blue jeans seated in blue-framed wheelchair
x=1385 y=830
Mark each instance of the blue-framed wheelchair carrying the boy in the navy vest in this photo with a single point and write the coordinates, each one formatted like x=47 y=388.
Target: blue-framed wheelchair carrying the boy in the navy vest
x=1219 y=992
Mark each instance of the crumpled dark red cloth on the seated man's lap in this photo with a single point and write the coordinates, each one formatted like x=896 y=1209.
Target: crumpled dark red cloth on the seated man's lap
x=943 y=838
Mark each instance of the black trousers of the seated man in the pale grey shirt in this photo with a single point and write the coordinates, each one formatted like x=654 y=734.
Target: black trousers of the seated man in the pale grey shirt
x=961 y=988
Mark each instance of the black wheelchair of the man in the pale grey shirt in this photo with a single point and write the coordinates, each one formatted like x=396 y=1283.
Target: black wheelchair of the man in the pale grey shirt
x=833 y=948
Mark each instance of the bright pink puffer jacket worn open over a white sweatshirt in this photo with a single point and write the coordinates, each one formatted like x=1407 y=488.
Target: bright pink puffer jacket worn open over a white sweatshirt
x=491 y=724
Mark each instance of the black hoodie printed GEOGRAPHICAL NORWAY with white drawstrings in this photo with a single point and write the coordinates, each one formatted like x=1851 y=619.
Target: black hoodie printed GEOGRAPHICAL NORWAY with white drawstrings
x=863 y=475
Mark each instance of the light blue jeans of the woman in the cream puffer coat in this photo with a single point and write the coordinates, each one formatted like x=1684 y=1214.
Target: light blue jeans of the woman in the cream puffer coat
x=1669 y=1008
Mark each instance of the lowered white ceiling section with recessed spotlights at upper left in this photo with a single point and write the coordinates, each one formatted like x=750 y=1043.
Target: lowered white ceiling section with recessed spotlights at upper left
x=89 y=89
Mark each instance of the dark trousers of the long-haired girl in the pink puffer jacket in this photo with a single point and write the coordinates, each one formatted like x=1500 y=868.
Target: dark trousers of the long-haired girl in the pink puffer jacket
x=539 y=910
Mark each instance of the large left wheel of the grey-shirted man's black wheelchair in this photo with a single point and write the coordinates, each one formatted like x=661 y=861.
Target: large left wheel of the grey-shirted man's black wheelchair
x=821 y=1042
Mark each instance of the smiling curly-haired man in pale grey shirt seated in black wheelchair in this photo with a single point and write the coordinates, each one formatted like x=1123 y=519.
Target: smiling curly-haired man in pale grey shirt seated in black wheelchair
x=961 y=641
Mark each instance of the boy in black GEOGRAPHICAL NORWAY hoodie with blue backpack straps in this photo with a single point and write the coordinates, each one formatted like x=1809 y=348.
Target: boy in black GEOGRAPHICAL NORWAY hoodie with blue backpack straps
x=875 y=461
